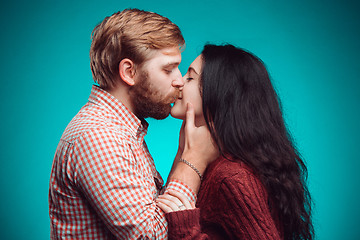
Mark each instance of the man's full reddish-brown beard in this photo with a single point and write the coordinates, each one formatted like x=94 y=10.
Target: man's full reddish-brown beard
x=147 y=102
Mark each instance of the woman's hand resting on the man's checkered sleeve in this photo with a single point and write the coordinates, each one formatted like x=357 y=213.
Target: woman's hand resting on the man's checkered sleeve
x=173 y=201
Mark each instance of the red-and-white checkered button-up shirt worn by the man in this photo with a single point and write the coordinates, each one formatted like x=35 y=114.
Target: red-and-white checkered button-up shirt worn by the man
x=103 y=181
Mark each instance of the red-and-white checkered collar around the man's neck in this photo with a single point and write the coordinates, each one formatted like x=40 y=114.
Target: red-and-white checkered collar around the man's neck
x=121 y=113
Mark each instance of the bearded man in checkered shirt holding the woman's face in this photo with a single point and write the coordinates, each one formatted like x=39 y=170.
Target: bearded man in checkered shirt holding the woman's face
x=103 y=182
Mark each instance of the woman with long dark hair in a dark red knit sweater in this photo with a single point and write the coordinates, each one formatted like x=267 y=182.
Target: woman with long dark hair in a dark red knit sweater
x=256 y=188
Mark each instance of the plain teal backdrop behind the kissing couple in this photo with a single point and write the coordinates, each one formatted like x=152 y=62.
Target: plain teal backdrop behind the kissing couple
x=311 y=49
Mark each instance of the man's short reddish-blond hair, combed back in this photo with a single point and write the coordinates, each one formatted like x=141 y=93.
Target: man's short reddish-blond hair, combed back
x=129 y=34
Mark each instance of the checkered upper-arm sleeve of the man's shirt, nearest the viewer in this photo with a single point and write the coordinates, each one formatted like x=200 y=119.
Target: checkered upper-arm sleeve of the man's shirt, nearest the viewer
x=116 y=188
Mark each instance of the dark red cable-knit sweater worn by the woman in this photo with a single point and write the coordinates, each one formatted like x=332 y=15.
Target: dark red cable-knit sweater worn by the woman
x=232 y=204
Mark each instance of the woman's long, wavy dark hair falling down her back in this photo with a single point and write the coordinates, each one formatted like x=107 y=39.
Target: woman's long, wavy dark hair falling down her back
x=243 y=113
